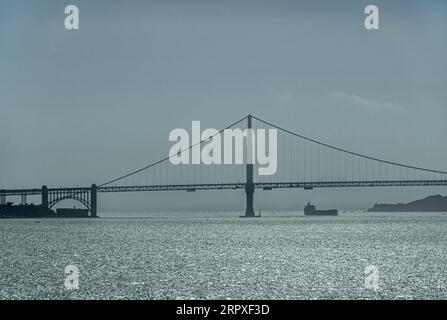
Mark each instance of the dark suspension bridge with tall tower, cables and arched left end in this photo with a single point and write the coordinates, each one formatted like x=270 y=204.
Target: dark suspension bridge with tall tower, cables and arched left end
x=302 y=163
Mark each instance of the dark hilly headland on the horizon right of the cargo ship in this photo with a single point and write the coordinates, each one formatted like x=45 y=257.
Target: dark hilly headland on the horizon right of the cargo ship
x=435 y=203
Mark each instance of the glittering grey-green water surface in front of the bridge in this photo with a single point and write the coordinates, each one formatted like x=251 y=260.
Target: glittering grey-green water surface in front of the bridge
x=282 y=255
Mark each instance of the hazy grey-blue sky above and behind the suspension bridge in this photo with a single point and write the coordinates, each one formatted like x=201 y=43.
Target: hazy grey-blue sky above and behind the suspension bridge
x=80 y=107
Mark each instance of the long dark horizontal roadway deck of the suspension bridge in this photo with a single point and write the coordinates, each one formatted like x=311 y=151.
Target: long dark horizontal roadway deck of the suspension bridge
x=237 y=185
